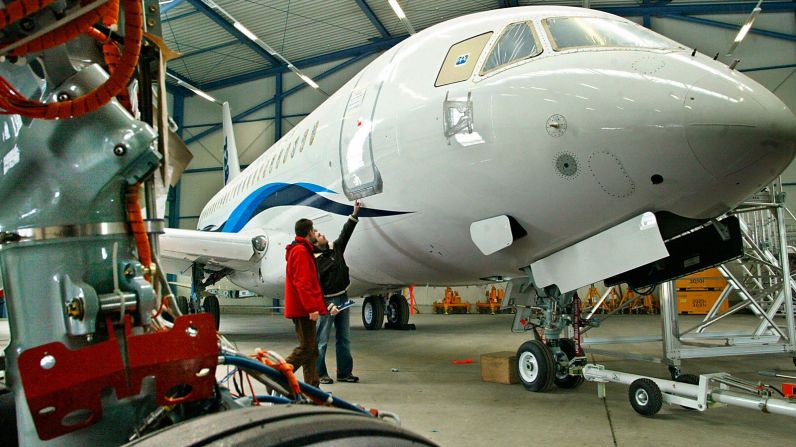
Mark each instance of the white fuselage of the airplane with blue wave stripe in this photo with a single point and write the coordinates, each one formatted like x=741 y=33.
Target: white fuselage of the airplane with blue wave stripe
x=569 y=143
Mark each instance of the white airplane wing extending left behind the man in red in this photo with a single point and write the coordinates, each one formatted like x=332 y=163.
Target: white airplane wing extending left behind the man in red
x=236 y=251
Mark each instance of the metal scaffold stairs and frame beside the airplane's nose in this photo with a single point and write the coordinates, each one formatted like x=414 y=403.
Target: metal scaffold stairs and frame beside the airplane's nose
x=764 y=288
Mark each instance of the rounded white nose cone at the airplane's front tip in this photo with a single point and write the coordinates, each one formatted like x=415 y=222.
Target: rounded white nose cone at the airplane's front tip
x=732 y=125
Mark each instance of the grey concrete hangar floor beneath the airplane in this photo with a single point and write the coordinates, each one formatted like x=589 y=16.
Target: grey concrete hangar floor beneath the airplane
x=450 y=405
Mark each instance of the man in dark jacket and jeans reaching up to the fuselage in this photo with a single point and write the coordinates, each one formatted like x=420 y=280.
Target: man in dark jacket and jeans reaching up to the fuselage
x=334 y=282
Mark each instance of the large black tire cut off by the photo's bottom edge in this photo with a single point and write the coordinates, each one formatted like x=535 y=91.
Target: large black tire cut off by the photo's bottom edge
x=283 y=425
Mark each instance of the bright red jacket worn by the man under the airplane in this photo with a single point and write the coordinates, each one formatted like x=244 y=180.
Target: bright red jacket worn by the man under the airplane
x=303 y=293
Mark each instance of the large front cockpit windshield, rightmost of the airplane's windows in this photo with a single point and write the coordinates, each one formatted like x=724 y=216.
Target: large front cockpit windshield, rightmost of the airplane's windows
x=574 y=32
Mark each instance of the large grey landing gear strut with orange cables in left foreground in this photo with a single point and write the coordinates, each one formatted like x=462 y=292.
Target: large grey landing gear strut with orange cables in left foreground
x=92 y=360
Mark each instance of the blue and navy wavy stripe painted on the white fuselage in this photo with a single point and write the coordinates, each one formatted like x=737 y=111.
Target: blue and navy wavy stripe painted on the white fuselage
x=286 y=194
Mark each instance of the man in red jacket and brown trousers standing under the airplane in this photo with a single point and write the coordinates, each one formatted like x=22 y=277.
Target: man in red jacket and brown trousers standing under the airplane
x=303 y=299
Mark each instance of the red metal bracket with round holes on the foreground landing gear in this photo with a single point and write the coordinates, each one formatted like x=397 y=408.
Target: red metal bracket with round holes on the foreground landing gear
x=63 y=387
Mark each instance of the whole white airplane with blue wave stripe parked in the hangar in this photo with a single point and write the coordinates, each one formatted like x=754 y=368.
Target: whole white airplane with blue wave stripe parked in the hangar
x=519 y=145
